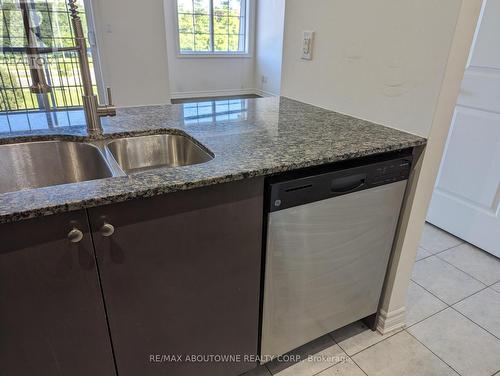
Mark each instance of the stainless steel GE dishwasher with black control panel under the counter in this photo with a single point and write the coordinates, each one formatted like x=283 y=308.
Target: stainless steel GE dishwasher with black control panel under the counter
x=329 y=239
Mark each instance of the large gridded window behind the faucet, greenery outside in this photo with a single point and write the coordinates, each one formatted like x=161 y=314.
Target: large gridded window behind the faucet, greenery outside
x=50 y=21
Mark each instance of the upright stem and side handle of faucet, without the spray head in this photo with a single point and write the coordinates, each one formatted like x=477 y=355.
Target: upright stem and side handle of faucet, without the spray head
x=93 y=110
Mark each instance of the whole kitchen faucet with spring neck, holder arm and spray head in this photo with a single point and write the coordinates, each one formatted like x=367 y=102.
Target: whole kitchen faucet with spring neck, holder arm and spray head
x=93 y=110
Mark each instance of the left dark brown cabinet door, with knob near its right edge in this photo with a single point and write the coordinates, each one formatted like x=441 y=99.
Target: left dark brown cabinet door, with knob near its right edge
x=52 y=319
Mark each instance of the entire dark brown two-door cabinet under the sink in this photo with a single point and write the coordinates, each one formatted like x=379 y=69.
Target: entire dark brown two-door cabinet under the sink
x=177 y=275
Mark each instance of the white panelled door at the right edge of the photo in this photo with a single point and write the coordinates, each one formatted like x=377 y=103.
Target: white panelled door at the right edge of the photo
x=466 y=200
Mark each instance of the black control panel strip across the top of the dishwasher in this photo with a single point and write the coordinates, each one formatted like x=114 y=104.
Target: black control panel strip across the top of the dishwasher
x=285 y=193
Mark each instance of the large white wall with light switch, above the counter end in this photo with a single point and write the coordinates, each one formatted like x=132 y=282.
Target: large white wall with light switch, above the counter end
x=378 y=60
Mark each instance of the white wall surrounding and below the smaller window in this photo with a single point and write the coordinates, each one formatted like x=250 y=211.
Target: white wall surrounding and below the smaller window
x=206 y=76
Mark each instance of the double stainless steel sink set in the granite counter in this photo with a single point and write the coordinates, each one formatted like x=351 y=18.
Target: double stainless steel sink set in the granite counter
x=48 y=163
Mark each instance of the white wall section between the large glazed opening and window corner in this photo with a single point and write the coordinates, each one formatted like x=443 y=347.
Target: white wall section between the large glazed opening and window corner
x=132 y=47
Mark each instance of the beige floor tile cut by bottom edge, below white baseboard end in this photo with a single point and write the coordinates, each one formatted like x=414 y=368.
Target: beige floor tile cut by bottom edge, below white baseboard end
x=401 y=355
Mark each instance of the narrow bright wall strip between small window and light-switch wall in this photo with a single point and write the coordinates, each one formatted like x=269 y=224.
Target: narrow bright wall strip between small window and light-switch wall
x=270 y=16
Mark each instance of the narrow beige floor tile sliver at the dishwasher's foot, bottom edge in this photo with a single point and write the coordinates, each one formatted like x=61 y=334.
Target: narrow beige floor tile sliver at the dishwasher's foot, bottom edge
x=316 y=363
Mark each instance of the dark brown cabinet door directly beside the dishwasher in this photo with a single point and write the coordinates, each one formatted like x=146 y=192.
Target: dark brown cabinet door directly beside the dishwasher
x=181 y=276
